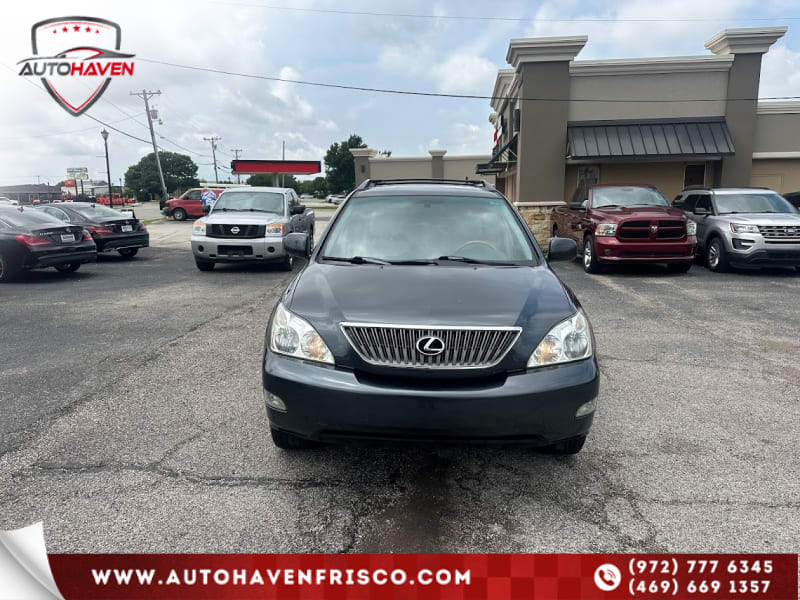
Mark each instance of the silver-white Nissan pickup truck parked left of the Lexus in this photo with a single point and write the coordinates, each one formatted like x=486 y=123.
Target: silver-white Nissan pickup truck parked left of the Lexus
x=248 y=225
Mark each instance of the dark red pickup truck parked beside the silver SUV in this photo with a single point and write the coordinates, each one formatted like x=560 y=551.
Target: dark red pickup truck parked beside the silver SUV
x=626 y=224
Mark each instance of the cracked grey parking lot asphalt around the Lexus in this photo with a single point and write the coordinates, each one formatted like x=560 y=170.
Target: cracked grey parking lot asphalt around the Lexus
x=133 y=421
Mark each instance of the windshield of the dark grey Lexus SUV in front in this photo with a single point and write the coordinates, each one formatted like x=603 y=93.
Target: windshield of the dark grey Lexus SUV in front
x=410 y=228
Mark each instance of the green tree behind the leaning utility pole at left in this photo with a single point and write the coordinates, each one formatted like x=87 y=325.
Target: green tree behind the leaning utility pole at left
x=180 y=172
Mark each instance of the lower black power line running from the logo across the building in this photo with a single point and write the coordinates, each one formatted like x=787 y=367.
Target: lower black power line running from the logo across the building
x=446 y=95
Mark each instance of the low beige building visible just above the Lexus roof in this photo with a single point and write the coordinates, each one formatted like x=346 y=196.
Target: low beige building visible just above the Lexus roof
x=437 y=165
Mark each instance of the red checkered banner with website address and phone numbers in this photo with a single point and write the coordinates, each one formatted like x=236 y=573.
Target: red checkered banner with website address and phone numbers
x=426 y=576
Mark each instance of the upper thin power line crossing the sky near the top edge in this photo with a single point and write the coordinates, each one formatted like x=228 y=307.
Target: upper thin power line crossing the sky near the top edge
x=362 y=13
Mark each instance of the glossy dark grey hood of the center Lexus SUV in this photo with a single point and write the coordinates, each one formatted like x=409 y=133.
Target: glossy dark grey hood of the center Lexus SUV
x=529 y=297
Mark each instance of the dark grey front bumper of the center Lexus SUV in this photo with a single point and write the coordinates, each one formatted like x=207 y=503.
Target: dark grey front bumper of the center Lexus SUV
x=534 y=407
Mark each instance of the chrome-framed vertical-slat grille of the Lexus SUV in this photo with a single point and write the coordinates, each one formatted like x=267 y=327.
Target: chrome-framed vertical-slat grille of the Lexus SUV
x=463 y=347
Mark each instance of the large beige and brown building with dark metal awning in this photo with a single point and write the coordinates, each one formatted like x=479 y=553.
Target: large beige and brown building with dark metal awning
x=669 y=122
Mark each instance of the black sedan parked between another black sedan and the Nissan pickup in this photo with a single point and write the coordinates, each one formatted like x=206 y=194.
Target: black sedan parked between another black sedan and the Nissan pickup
x=110 y=229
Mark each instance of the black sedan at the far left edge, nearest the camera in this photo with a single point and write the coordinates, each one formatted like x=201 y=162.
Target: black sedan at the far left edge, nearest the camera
x=30 y=239
